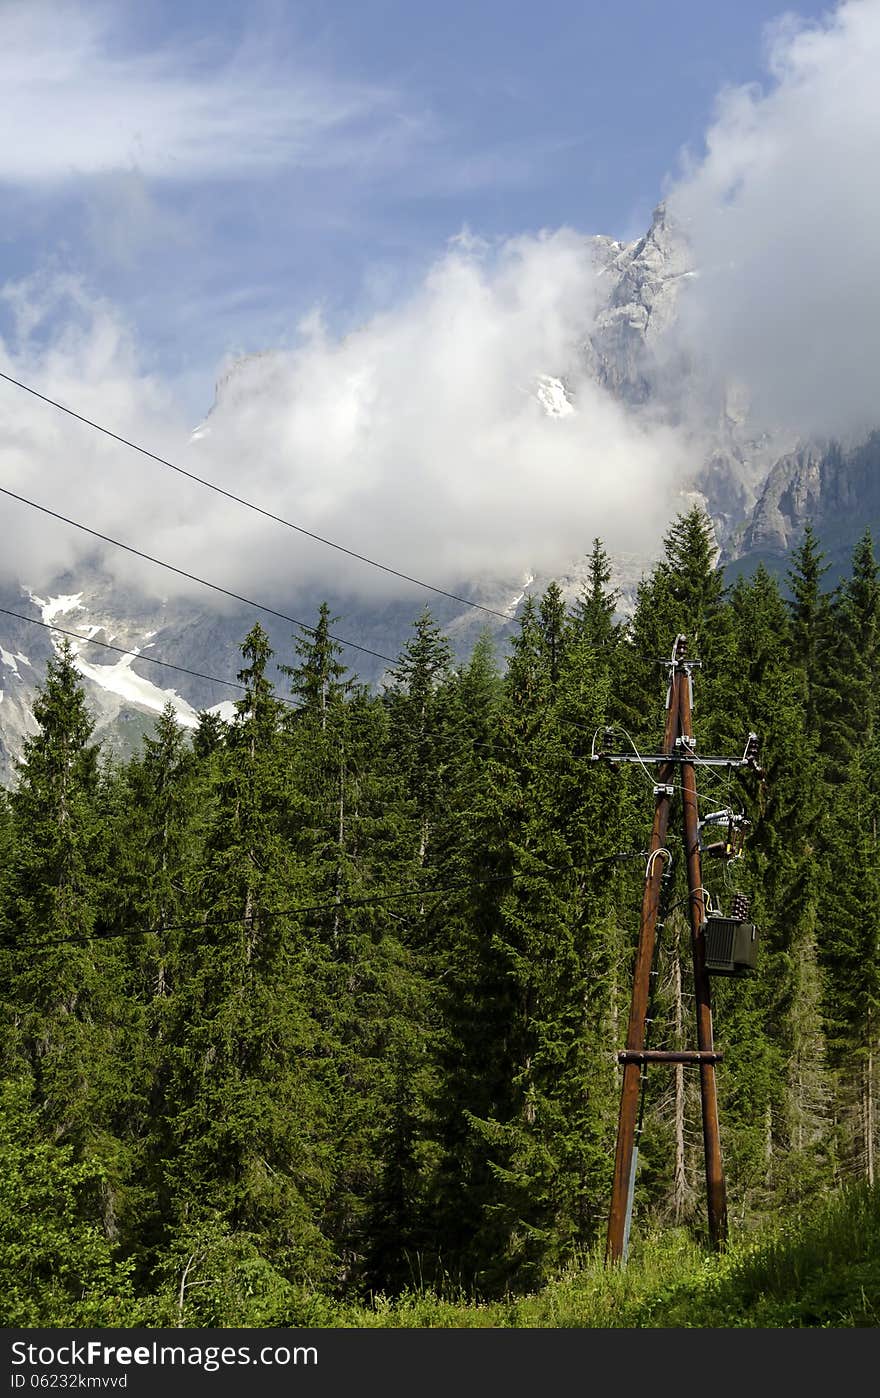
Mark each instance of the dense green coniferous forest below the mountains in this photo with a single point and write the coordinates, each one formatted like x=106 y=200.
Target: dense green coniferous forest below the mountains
x=325 y=1004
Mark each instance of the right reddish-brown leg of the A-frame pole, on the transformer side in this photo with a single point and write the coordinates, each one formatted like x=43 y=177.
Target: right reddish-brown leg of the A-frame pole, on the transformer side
x=709 y=1094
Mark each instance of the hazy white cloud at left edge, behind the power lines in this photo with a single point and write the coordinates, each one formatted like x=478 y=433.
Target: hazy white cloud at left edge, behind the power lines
x=78 y=350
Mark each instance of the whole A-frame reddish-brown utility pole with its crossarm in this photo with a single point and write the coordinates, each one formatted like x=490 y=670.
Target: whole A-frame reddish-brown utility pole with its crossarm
x=678 y=754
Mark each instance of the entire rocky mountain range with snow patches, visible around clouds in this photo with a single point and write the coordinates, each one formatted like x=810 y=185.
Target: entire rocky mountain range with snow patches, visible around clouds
x=759 y=489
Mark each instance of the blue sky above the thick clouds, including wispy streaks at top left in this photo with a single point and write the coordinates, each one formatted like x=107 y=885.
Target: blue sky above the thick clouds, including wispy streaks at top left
x=216 y=170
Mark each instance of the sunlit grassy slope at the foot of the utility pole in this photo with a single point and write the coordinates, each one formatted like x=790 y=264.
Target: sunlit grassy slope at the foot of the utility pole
x=816 y=1270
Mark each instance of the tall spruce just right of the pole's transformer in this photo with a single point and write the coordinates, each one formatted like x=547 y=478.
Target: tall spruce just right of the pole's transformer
x=774 y=1086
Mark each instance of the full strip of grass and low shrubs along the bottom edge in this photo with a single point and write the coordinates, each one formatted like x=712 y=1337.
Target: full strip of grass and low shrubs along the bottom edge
x=819 y=1269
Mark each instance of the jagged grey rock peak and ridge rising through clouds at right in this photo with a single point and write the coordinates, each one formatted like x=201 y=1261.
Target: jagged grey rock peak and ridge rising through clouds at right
x=759 y=487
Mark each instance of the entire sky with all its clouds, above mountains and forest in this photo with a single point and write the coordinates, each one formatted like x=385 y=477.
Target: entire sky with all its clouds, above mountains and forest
x=394 y=202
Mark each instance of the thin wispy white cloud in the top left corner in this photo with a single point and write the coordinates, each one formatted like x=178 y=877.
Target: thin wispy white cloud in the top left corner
x=75 y=103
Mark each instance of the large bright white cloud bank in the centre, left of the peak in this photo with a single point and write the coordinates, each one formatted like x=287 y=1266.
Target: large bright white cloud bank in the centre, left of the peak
x=420 y=440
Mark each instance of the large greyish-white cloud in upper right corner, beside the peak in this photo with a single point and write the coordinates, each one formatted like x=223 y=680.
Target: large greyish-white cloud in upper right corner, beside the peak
x=783 y=212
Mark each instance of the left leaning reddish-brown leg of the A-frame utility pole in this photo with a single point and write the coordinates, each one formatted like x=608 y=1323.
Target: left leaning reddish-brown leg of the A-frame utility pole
x=625 y=1158
